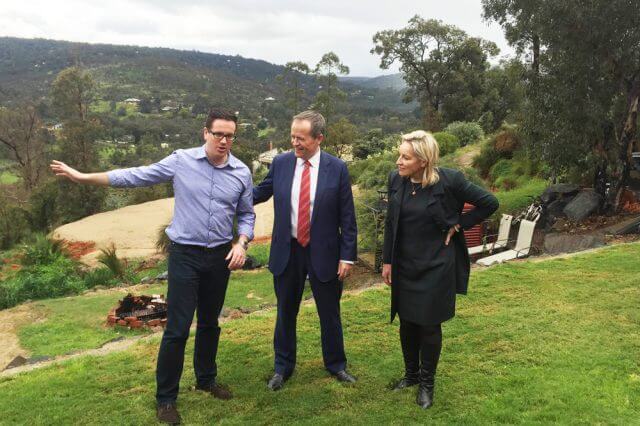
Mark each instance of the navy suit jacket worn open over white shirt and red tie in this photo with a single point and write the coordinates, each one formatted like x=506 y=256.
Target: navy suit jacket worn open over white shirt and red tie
x=333 y=220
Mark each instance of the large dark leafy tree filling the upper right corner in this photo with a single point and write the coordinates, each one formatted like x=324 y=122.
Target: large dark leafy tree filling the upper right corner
x=582 y=101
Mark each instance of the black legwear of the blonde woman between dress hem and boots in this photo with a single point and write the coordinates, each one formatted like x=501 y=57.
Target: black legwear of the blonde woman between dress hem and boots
x=421 y=347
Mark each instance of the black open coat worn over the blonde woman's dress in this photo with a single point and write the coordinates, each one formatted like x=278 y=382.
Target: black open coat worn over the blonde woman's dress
x=445 y=207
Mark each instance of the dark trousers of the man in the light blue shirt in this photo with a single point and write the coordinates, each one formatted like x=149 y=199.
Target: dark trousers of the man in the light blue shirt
x=198 y=280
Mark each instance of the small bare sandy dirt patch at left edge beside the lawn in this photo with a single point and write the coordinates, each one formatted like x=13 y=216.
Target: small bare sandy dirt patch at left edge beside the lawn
x=10 y=322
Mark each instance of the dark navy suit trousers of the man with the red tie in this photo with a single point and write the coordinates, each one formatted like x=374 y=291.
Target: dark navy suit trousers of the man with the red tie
x=288 y=288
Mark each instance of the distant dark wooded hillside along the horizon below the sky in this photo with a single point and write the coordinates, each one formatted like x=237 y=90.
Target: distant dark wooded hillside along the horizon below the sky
x=28 y=67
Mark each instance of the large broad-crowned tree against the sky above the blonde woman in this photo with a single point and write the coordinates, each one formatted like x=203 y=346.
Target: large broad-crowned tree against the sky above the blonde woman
x=443 y=67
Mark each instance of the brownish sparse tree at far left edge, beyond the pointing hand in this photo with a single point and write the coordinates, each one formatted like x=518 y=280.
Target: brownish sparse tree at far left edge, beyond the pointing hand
x=21 y=133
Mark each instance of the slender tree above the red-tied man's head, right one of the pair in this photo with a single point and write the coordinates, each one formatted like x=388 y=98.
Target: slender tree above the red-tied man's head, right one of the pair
x=329 y=95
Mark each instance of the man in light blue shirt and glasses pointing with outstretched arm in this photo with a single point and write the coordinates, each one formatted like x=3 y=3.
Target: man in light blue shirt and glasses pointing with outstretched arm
x=211 y=187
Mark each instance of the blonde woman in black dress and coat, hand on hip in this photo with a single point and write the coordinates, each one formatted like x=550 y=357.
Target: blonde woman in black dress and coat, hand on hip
x=425 y=258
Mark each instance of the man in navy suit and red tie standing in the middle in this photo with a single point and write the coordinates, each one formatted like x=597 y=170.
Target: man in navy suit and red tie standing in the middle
x=314 y=234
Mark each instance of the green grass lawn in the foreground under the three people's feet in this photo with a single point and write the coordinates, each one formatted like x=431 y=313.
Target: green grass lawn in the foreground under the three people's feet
x=534 y=342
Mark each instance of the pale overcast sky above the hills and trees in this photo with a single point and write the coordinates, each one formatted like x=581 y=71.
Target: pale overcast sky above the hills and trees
x=277 y=31
